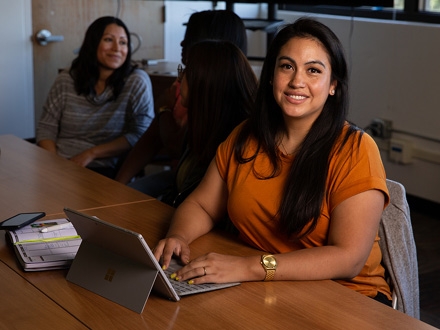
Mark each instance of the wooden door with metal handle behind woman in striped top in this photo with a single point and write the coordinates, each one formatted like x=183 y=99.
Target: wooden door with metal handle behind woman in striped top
x=70 y=19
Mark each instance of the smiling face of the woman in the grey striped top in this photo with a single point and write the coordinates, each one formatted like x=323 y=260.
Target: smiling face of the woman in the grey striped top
x=113 y=47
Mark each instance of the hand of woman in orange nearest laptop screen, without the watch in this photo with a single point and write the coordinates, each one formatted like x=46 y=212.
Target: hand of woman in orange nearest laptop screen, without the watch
x=170 y=246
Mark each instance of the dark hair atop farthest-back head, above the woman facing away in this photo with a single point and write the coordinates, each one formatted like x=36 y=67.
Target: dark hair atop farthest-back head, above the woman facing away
x=214 y=24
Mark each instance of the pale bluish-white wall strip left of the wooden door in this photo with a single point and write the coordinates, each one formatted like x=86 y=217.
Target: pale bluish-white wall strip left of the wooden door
x=16 y=71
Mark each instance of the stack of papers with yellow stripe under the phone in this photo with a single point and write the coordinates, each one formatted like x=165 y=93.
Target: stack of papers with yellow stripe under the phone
x=50 y=249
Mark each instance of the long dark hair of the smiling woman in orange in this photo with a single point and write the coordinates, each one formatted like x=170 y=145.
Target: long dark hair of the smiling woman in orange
x=305 y=186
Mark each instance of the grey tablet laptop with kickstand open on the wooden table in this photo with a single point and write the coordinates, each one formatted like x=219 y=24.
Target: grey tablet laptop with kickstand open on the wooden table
x=117 y=263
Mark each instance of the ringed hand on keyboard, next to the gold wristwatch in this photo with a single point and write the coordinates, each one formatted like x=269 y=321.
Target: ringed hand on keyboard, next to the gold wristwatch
x=220 y=268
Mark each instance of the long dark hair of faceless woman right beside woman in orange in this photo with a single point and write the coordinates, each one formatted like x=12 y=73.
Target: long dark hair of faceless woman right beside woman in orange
x=221 y=90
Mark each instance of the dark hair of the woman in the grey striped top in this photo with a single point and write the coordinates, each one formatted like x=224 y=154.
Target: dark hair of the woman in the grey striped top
x=85 y=68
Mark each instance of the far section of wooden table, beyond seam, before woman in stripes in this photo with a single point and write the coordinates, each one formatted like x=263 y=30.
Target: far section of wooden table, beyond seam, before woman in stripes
x=33 y=179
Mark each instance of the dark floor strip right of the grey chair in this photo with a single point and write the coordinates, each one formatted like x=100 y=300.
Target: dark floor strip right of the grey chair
x=425 y=218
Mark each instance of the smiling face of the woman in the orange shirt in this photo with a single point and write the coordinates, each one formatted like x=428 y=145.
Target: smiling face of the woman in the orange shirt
x=302 y=79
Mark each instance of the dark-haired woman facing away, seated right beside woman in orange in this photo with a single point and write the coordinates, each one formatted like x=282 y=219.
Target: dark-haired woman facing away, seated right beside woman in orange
x=217 y=87
